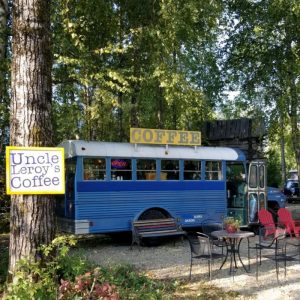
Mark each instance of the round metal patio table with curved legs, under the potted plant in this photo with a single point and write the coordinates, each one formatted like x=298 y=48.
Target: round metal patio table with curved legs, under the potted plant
x=233 y=243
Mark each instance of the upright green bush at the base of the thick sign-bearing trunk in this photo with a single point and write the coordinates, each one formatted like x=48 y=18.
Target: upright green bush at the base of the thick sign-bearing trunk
x=38 y=279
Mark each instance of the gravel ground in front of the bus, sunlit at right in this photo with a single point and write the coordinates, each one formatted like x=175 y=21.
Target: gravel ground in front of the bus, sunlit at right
x=172 y=261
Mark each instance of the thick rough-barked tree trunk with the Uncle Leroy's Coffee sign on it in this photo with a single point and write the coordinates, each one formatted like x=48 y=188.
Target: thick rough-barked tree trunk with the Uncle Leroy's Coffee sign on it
x=32 y=216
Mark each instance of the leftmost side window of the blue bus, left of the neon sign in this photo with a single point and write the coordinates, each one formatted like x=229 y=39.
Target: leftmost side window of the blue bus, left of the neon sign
x=94 y=169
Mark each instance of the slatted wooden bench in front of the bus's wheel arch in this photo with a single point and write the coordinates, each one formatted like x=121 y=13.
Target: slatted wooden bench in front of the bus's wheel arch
x=155 y=228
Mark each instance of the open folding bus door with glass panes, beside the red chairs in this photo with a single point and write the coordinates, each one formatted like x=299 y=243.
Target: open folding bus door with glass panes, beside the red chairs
x=256 y=190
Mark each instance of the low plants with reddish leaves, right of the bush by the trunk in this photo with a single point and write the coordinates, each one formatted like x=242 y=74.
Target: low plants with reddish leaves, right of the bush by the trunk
x=115 y=282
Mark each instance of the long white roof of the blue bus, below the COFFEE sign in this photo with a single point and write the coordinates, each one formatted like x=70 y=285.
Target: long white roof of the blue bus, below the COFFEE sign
x=123 y=150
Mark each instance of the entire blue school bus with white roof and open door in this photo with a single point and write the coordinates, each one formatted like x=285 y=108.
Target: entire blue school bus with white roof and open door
x=108 y=185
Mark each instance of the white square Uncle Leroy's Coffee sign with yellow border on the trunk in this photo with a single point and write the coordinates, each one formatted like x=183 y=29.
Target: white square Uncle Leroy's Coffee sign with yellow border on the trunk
x=35 y=170
